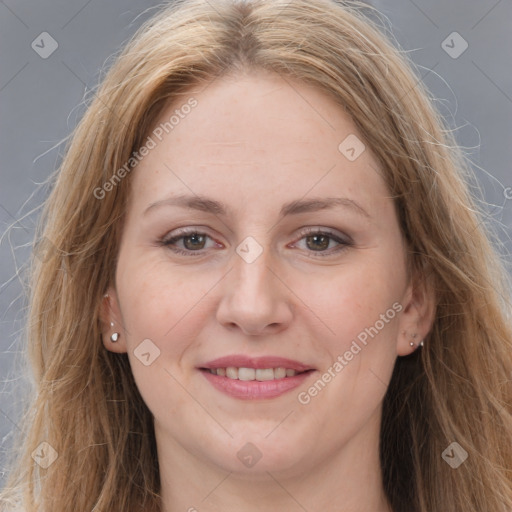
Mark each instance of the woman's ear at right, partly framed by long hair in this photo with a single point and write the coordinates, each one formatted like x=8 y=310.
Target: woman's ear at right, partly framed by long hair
x=417 y=316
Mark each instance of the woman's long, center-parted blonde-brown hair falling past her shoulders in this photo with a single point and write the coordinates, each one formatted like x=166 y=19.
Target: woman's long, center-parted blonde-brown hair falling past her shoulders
x=456 y=388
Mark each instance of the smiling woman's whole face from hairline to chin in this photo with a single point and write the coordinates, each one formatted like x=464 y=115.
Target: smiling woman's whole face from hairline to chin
x=260 y=235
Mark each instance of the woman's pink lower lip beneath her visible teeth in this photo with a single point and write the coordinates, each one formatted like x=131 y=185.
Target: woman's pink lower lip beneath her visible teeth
x=254 y=389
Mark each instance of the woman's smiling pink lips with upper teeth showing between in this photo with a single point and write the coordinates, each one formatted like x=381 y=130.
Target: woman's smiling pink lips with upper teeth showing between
x=245 y=377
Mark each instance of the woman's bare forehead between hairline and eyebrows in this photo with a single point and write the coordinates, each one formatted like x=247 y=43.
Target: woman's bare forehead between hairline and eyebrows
x=257 y=138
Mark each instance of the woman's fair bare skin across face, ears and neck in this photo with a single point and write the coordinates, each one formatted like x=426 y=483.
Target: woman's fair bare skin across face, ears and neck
x=255 y=142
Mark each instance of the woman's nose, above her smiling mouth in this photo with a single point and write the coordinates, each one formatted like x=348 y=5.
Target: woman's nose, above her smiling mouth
x=254 y=297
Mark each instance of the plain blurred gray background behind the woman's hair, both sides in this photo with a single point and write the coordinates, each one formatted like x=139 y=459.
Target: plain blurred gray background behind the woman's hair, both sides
x=40 y=103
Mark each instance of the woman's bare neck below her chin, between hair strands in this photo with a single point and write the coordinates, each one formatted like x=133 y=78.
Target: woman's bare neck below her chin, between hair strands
x=347 y=480
